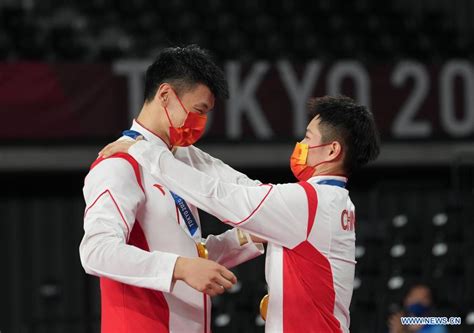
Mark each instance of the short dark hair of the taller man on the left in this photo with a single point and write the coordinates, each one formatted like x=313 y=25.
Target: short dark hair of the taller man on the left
x=184 y=68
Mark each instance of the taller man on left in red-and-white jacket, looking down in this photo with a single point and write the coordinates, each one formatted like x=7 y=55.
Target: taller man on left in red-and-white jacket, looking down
x=143 y=240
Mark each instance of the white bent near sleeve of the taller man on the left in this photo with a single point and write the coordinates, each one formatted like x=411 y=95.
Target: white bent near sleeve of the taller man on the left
x=113 y=196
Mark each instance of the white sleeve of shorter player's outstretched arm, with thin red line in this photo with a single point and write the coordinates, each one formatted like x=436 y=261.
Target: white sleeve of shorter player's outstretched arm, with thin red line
x=277 y=213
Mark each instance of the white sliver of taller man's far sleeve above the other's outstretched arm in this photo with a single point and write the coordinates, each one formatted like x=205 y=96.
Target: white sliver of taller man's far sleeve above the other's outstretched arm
x=212 y=167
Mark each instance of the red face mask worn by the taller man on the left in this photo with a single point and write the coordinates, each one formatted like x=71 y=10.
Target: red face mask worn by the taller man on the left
x=192 y=129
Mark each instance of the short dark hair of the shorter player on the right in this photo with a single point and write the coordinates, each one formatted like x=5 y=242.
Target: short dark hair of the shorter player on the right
x=351 y=124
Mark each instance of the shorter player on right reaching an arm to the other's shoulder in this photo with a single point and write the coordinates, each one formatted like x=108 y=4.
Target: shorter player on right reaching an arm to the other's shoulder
x=310 y=225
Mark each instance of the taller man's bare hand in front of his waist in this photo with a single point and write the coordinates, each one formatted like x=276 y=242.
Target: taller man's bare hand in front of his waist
x=204 y=275
